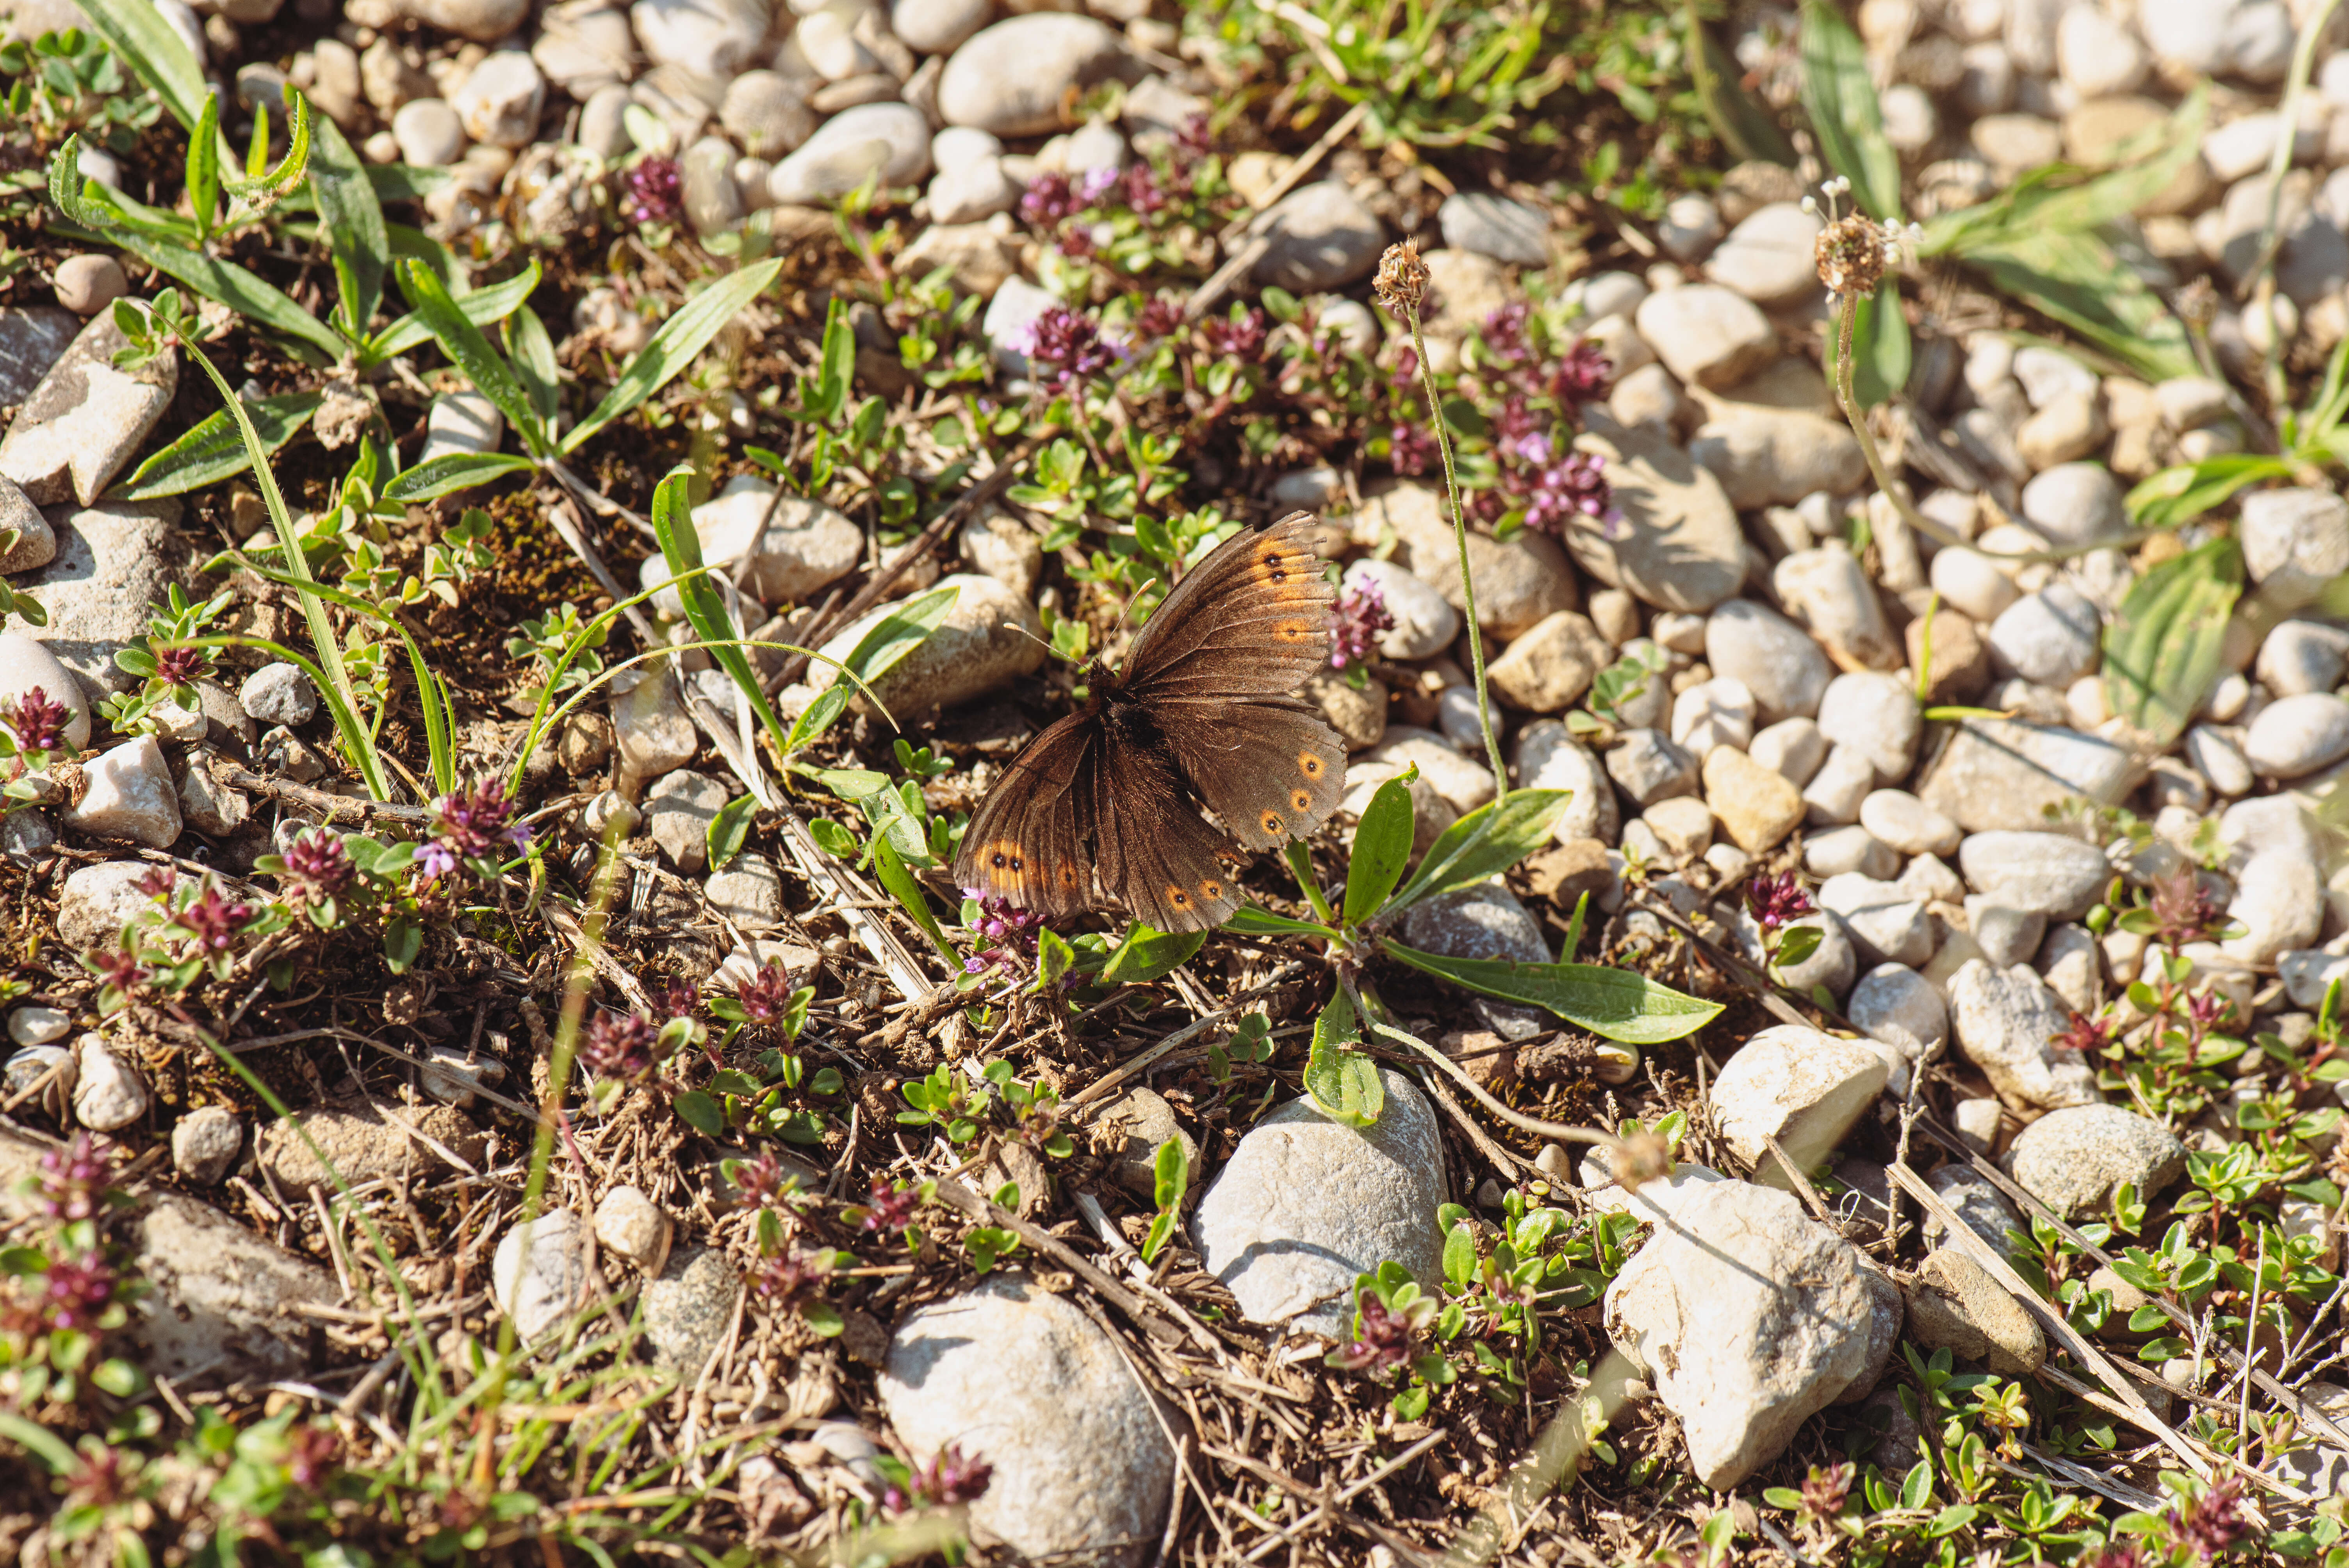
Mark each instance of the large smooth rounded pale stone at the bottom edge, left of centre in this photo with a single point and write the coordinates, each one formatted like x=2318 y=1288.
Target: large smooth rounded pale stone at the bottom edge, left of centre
x=1025 y=1381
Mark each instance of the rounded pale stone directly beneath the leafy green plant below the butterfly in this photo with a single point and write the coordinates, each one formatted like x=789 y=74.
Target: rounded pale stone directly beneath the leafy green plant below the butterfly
x=1305 y=1205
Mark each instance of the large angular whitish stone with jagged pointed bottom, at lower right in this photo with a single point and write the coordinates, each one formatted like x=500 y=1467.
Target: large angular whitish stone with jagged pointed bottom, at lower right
x=1749 y=1318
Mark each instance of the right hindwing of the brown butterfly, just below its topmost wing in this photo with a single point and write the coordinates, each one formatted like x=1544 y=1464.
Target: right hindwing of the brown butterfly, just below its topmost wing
x=1270 y=769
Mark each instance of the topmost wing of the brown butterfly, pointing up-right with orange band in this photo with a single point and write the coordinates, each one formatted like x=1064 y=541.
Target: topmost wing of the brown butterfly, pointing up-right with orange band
x=1251 y=621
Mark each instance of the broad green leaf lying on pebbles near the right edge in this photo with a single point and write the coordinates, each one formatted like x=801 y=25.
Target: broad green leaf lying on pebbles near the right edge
x=2162 y=649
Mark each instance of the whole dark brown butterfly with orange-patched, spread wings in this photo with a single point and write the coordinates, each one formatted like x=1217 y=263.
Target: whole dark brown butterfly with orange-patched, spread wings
x=1108 y=799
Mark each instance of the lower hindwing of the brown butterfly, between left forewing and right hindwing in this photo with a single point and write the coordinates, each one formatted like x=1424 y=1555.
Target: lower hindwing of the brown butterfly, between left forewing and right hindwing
x=1157 y=853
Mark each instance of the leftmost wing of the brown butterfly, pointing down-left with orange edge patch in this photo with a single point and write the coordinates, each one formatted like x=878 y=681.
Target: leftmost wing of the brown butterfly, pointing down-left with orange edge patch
x=1028 y=839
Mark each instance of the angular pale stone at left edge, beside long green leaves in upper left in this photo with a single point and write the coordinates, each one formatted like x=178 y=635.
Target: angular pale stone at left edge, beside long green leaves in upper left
x=86 y=419
